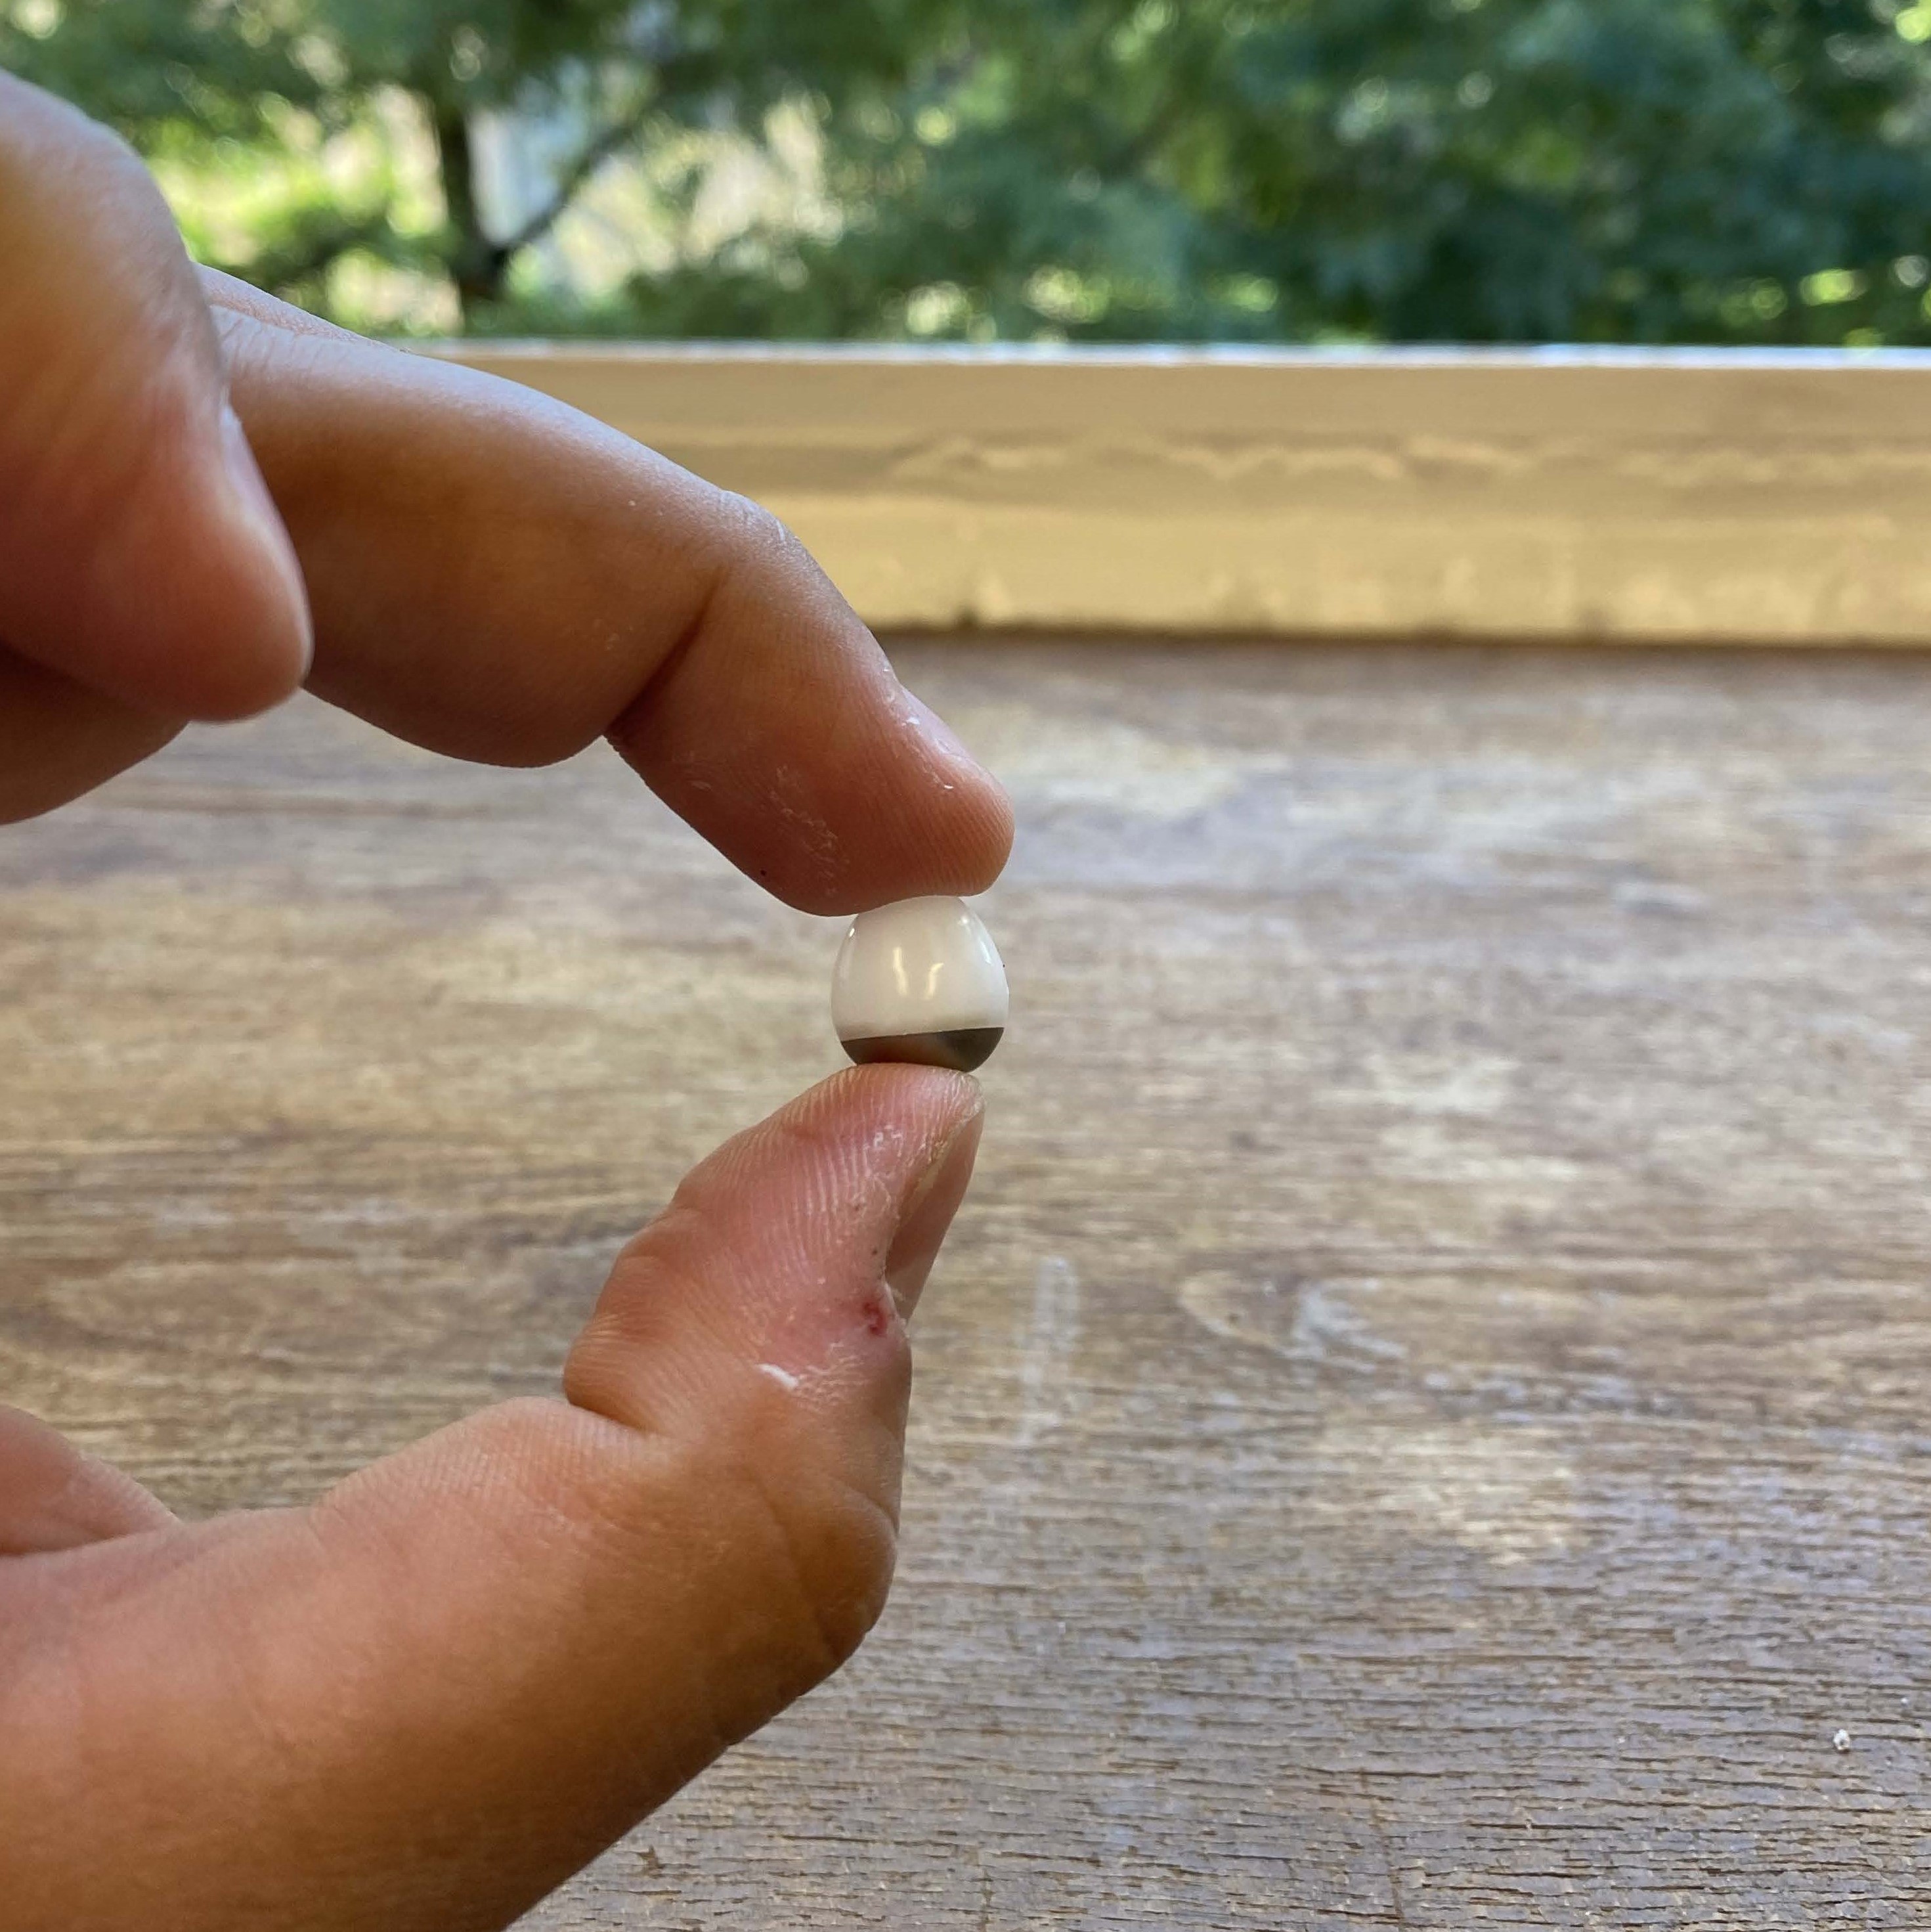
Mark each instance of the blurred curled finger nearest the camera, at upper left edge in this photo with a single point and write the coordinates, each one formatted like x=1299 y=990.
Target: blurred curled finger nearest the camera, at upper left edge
x=138 y=550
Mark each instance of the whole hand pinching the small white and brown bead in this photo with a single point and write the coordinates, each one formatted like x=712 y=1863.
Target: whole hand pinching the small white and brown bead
x=432 y=1695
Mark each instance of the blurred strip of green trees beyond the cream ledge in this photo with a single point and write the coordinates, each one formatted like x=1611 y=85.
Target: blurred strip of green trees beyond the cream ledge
x=1038 y=171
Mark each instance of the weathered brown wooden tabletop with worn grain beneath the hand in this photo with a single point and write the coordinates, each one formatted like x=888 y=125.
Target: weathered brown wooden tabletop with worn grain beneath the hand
x=1426 y=1419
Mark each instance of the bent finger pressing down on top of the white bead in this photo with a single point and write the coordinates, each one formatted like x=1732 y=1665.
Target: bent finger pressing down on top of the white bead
x=501 y=579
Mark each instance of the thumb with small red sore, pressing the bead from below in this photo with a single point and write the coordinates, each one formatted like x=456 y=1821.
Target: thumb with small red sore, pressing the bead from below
x=426 y=1701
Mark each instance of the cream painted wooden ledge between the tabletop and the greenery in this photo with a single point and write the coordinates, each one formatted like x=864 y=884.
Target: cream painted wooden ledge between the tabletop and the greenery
x=1617 y=496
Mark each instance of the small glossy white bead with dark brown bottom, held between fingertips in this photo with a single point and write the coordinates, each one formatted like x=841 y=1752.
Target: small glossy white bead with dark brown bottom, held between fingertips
x=920 y=982
